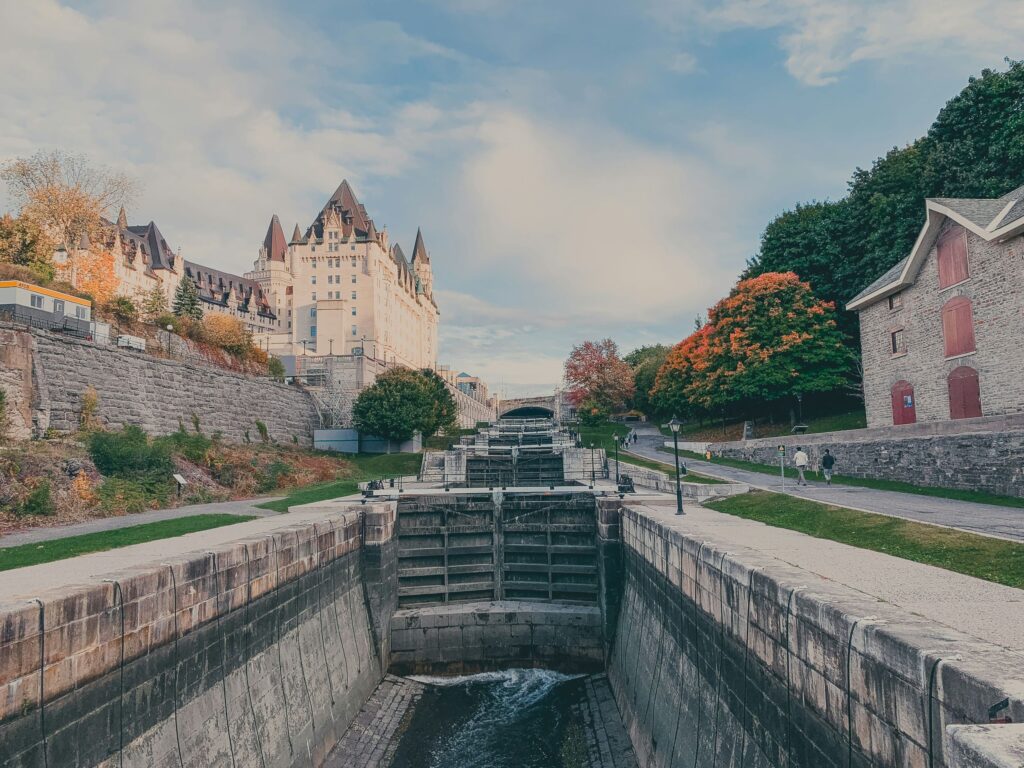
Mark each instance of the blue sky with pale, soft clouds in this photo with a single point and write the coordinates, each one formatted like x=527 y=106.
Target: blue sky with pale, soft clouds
x=581 y=169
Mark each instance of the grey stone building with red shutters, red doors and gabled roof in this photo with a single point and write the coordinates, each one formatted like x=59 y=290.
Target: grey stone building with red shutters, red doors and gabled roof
x=943 y=331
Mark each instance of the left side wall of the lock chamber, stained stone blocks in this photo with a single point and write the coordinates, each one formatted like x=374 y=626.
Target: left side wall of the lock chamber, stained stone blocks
x=259 y=654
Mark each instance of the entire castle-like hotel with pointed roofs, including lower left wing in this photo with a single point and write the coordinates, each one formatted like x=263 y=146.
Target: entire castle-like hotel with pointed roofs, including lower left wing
x=339 y=288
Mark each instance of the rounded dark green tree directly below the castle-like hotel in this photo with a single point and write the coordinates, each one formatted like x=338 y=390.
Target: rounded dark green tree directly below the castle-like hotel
x=397 y=406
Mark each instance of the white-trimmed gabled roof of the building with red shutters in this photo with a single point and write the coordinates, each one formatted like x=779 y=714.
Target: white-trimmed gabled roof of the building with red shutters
x=990 y=220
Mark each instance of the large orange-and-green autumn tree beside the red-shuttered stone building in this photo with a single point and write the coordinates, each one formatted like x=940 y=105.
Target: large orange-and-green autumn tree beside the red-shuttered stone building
x=771 y=339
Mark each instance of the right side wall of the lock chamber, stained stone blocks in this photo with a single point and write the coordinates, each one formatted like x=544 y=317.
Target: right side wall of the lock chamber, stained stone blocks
x=734 y=660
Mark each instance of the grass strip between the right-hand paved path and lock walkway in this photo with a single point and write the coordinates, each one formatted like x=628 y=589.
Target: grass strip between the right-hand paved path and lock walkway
x=983 y=558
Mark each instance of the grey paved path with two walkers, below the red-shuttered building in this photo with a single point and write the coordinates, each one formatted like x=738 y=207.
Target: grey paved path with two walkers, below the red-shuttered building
x=1006 y=523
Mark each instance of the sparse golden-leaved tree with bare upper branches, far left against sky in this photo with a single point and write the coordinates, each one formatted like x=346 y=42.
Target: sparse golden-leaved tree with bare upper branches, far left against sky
x=65 y=195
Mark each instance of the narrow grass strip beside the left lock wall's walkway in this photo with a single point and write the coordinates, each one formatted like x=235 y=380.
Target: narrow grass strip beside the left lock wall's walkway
x=59 y=549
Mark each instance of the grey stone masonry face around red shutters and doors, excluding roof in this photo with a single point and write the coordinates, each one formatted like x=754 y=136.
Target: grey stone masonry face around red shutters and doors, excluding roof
x=997 y=292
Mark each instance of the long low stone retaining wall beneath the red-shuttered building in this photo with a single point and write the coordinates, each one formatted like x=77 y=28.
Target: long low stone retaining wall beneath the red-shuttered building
x=937 y=456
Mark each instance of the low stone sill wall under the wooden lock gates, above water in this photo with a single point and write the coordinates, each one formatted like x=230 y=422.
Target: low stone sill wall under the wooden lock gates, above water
x=467 y=638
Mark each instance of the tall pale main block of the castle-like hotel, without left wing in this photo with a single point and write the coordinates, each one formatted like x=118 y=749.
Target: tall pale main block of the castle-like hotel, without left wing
x=342 y=288
